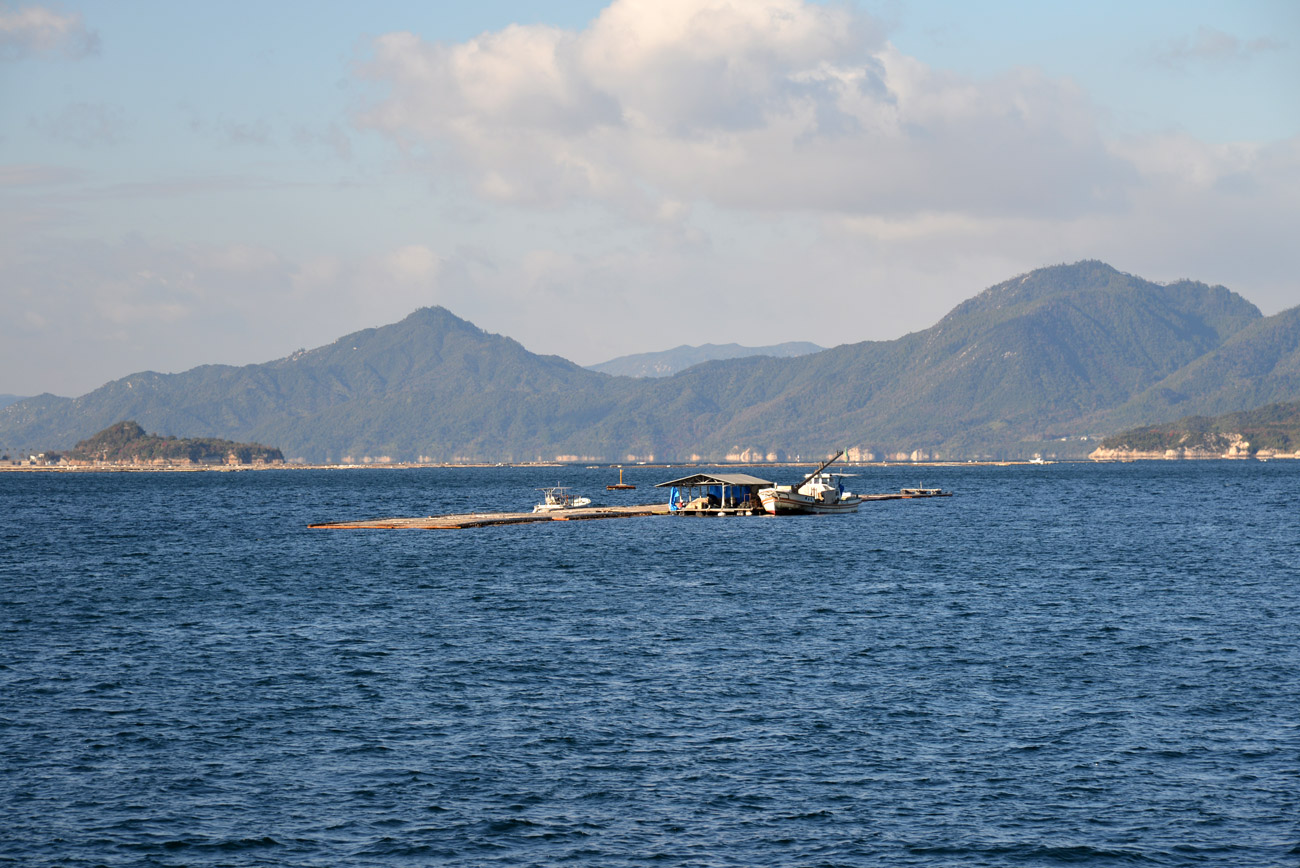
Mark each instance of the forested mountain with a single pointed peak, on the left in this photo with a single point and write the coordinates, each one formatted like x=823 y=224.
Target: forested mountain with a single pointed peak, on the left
x=431 y=385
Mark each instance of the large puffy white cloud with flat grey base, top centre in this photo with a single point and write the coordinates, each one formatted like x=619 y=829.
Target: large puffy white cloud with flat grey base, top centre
x=779 y=106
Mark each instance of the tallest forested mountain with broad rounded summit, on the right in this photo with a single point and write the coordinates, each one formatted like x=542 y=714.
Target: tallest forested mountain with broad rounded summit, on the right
x=1030 y=358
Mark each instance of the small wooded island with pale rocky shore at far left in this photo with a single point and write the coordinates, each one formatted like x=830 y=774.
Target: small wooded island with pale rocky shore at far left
x=129 y=445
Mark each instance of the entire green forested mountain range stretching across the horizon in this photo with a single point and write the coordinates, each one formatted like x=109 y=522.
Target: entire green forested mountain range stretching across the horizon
x=1050 y=362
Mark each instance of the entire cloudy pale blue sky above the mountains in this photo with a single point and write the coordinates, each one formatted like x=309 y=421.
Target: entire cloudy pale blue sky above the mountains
x=189 y=184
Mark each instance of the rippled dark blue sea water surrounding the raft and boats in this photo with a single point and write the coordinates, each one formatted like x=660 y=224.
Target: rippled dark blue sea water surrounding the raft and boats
x=1063 y=665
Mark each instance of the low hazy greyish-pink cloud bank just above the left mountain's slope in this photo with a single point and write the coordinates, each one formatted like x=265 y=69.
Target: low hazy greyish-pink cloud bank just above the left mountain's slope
x=141 y=305
